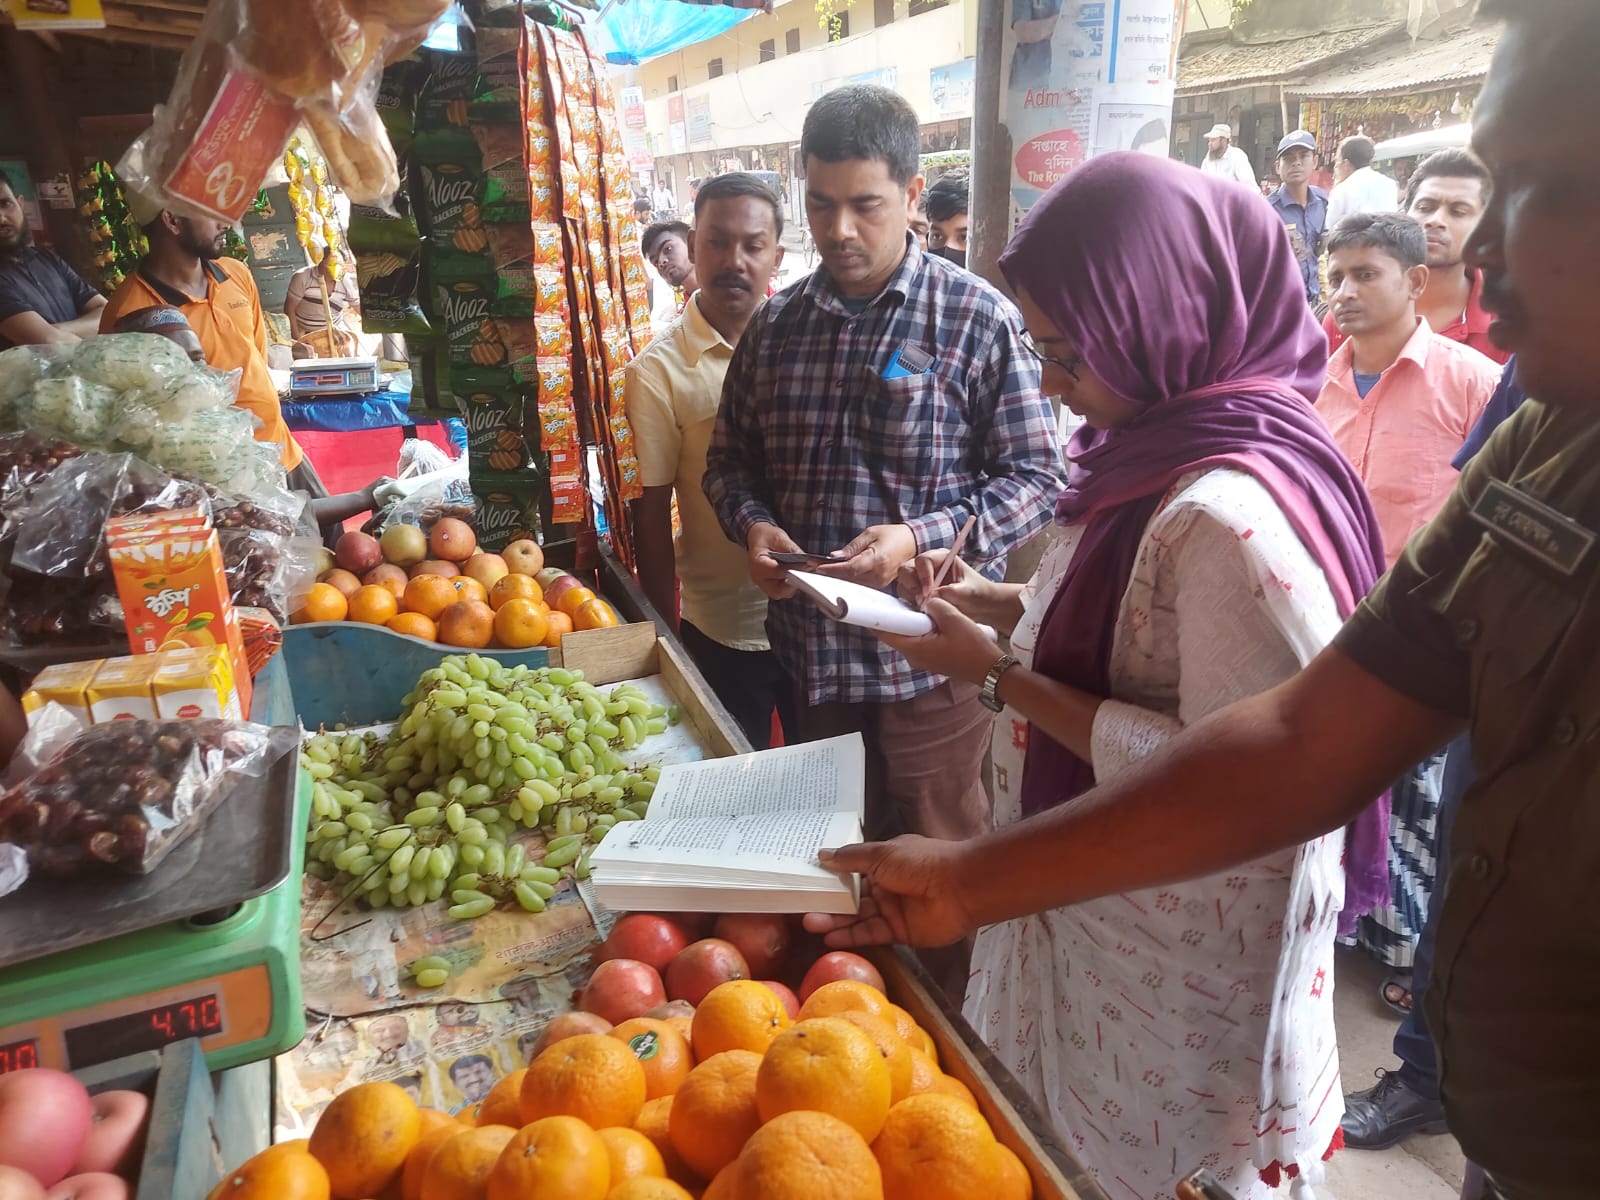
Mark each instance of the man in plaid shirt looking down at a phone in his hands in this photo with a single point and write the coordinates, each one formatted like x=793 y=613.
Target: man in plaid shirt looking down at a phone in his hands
x=870 y=410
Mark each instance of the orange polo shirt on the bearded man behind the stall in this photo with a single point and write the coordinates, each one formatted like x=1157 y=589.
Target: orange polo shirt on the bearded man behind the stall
x=233 y=334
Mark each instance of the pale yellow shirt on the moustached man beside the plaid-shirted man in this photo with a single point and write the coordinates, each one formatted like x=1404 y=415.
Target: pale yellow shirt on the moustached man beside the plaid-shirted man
x=674 y=388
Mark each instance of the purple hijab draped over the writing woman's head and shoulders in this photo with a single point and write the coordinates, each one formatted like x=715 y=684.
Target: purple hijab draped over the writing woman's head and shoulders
x=1183 y=294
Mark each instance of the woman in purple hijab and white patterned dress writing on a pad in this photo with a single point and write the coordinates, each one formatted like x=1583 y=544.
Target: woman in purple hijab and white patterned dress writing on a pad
x=1212 y=540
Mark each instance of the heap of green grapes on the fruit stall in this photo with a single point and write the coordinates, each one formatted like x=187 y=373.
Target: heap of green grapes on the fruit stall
x=481 y=754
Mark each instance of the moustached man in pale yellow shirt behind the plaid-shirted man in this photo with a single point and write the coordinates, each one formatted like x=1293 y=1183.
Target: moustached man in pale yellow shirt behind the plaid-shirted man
x=674 y=388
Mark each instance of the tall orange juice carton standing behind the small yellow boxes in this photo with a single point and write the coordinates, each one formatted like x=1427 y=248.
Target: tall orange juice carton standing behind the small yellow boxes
x=174 y=594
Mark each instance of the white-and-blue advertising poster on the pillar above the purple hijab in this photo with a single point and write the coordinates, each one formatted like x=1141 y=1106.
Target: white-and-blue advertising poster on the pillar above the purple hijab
x=1087 y=78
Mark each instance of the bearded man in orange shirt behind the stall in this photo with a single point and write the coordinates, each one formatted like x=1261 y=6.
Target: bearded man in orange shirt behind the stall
x=186 y=270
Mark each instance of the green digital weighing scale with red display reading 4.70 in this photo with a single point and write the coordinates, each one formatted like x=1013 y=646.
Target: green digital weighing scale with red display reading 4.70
x=233 y=983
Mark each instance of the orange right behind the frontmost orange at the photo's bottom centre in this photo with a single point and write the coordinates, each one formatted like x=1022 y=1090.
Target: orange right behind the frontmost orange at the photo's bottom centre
x=826 y=1065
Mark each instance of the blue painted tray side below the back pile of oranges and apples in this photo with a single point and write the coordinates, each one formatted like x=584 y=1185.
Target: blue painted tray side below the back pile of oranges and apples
x=343 y=673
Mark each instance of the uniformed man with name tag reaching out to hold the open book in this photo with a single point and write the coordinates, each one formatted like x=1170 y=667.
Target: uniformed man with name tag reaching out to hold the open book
x=1490 y=622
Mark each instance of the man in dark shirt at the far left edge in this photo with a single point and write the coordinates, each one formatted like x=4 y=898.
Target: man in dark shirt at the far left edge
x=42 y=300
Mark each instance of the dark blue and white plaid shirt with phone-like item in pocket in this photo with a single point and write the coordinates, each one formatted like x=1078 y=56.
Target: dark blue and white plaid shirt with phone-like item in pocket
x=814 y=438
